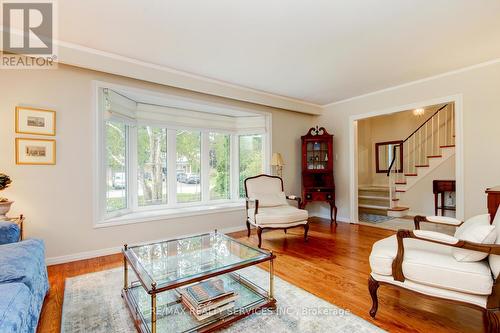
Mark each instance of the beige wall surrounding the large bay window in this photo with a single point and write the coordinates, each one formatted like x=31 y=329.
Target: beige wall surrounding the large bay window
x=57 y=200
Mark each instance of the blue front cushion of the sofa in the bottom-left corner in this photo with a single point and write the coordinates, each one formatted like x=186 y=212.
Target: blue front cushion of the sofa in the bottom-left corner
x=14 y=307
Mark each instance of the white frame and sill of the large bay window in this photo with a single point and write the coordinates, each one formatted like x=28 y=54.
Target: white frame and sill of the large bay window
x=135 y=213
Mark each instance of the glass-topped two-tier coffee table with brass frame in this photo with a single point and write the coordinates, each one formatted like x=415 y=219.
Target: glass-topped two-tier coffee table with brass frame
x=158 y=269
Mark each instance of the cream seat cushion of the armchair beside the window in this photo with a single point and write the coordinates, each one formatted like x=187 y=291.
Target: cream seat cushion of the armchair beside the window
x=278 y=215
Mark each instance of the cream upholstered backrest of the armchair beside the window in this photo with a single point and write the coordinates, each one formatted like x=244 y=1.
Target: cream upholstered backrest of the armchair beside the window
x=268 y=190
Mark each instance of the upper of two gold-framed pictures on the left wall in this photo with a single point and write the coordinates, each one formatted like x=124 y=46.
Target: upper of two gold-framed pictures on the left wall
x=35 y=121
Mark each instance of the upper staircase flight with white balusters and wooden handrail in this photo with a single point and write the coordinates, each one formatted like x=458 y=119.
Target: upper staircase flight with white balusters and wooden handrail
x=425 y=149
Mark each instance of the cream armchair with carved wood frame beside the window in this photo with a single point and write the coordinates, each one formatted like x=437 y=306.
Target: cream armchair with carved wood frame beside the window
x=267 y=206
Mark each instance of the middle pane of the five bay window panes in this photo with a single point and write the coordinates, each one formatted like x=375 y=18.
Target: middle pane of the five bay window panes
x=188 y=166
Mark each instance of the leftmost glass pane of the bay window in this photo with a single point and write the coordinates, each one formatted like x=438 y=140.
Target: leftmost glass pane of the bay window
x=116 y=166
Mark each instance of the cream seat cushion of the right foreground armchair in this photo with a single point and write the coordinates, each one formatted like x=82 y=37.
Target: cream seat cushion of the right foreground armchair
x=433 y=265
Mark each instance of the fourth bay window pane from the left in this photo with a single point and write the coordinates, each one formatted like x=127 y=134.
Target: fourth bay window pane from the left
x=219 y=165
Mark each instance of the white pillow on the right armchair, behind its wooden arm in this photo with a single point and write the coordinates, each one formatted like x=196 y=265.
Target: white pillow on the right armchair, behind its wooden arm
x=477 y=229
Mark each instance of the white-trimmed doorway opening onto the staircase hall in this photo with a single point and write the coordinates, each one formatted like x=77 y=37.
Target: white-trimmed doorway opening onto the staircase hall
x=398 y=155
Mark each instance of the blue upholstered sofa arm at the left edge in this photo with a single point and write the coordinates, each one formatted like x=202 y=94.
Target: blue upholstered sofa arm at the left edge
x=24 y=262
